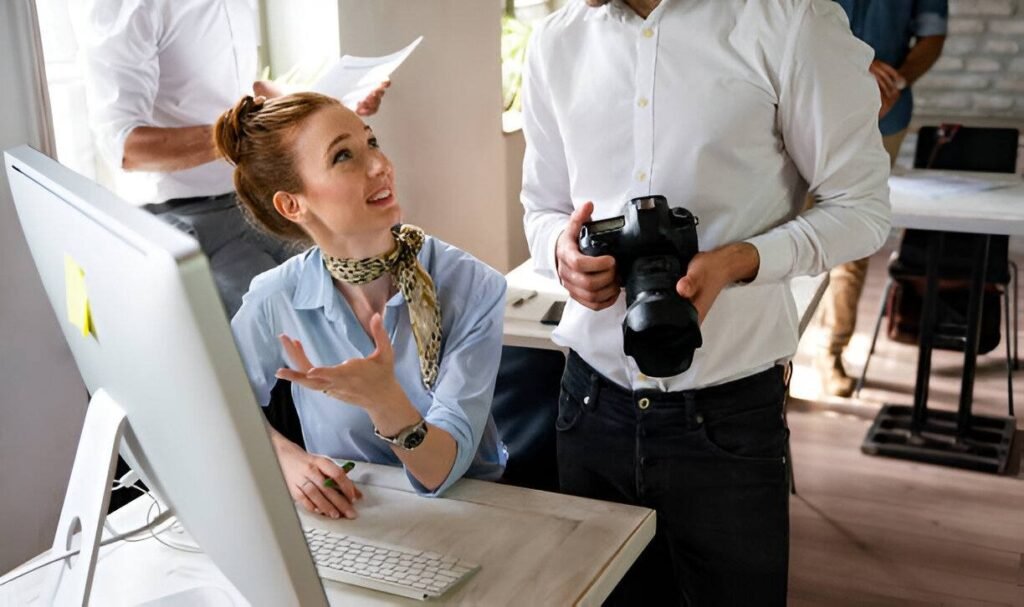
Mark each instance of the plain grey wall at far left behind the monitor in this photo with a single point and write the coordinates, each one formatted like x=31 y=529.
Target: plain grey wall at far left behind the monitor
x=42 y=399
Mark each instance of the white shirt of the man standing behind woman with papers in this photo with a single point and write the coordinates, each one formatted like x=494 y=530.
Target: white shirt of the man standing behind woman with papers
x=166 y=64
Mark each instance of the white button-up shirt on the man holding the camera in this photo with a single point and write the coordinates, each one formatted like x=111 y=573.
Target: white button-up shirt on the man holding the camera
x=733 y=109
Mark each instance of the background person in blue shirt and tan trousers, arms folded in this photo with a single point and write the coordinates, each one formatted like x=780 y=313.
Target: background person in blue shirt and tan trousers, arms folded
x=908 y=37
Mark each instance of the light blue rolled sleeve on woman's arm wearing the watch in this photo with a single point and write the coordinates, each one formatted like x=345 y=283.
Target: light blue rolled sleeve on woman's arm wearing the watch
x=466 y=379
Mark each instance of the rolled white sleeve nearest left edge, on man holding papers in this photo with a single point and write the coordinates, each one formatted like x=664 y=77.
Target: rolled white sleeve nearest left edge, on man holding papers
x=120 y=52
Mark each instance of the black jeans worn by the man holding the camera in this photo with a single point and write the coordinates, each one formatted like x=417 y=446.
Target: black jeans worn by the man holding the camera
x=710 y=462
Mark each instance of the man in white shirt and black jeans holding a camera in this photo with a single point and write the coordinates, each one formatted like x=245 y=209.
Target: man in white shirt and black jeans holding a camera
x=734 y=111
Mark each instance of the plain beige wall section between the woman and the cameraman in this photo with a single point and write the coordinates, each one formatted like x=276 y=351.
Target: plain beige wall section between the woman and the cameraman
x=441 y=120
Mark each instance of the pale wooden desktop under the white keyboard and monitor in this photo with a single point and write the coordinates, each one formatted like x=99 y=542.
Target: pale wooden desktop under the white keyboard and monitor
x=535 y=548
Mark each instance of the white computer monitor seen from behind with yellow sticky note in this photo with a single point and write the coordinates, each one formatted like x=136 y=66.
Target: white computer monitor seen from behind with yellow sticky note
x=139 y=308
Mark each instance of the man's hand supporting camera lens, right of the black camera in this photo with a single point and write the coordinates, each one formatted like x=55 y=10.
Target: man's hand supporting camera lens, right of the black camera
x=710 y=273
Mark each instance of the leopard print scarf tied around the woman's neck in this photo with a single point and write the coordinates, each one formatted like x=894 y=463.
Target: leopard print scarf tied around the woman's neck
x=414 y=283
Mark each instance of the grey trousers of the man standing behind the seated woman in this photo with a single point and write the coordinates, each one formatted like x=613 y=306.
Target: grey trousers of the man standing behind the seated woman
x=237 y=250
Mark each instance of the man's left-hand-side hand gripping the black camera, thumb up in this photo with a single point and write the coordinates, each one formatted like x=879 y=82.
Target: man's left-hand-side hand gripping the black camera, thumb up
x=590 y=281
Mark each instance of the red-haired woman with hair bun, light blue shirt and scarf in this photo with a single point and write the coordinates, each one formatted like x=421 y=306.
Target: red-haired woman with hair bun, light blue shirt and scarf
x=392 y=339
